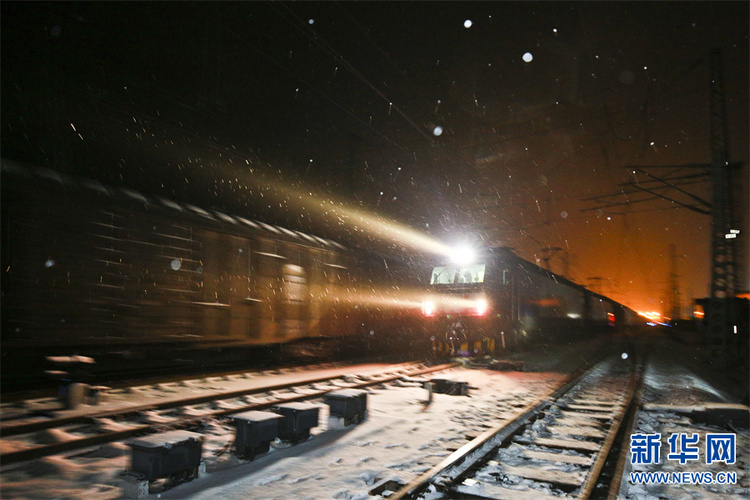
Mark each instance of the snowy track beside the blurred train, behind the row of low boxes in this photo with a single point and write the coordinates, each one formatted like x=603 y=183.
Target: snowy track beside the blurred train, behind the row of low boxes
x=86 y=430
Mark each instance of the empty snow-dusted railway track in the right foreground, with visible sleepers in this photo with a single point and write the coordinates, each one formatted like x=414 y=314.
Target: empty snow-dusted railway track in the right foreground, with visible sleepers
x=557 y=448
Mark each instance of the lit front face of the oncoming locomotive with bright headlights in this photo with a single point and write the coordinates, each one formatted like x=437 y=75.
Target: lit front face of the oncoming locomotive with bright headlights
x=458 y=310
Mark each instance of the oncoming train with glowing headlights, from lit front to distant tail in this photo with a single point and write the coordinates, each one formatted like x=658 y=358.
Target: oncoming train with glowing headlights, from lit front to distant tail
x=500 y=302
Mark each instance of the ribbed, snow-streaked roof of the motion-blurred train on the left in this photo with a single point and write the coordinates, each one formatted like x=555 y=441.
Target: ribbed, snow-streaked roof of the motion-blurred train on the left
x=211 y=217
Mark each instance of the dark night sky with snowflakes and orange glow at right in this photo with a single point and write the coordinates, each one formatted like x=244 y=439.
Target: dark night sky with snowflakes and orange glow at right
x=208 y=102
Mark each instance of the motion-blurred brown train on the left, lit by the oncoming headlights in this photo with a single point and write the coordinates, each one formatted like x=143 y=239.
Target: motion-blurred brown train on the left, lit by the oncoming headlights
x=90 y=269
